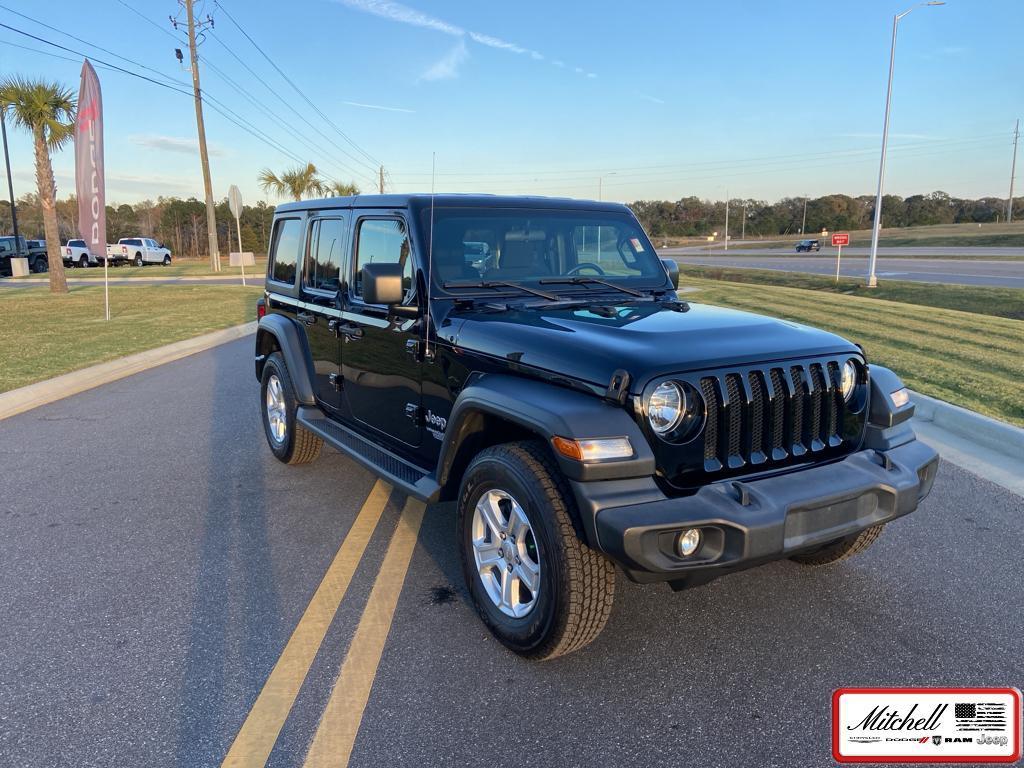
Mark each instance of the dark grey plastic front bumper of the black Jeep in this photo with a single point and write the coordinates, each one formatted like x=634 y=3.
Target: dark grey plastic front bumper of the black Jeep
x=747 y=524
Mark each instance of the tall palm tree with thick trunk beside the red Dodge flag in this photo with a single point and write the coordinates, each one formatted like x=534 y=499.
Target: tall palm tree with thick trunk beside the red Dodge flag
x=48 y=110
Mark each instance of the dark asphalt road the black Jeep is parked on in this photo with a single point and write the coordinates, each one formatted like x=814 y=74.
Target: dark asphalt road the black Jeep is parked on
x=152 y=580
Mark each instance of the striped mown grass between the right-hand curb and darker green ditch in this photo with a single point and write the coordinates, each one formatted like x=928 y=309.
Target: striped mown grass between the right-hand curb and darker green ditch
x=974 y=361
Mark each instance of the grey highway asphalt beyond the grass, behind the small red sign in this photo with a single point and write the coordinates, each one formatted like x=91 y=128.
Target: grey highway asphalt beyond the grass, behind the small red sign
x=967 y=272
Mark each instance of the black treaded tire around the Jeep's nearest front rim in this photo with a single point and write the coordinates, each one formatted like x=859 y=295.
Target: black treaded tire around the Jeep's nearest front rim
x=578 y=584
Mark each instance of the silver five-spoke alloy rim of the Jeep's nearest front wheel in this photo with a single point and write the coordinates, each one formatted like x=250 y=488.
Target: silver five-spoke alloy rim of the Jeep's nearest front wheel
x=506 y=553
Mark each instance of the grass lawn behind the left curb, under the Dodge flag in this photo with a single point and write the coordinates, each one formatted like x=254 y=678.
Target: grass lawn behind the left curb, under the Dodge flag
x=45 y=335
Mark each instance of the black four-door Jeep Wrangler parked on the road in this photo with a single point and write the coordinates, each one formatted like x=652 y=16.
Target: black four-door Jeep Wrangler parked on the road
x=578 y=412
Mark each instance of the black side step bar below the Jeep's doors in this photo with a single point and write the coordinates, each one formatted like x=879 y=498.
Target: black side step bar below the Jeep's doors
x=413 y=481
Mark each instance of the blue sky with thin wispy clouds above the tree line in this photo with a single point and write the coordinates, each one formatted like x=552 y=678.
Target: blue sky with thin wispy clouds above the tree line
x=659 y=100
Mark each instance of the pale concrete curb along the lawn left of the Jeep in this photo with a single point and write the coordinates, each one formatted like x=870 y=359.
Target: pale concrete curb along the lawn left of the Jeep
x=25 y=399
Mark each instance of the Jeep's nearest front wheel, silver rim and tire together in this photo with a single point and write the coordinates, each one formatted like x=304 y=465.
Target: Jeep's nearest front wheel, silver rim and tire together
x=539 y=589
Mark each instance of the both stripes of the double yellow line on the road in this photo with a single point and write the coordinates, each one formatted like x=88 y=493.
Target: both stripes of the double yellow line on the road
x=340 y=722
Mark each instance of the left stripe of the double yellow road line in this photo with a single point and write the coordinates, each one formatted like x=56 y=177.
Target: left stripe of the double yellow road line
x=259 y=735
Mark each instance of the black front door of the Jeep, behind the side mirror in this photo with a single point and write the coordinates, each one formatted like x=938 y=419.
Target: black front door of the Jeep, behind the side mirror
x=379 y=355
